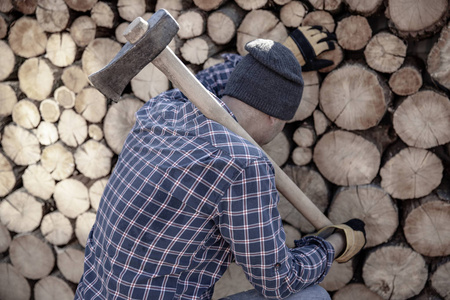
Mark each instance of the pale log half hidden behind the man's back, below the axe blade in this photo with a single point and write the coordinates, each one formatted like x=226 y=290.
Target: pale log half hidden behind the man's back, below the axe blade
x=118 y=122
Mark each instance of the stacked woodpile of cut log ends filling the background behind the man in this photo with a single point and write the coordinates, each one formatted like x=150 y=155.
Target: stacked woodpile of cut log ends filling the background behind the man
x=370 y=139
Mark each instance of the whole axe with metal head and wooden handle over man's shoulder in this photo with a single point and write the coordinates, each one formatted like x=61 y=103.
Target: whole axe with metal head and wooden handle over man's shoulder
x=147 y=42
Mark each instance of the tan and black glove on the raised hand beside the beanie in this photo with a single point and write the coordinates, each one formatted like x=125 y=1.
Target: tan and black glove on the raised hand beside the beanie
x=307 y=42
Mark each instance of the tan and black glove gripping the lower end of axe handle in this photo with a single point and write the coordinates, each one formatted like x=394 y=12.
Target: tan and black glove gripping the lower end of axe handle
x=355 y=236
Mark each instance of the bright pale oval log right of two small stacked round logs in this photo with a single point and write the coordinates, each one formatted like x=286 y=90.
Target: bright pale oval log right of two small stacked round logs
x=72 y=128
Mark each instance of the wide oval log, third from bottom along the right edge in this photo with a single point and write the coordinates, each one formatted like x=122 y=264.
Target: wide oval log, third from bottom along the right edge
x=411 y=173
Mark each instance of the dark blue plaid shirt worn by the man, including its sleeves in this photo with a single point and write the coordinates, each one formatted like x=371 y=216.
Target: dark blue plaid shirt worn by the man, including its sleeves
x=187 y=197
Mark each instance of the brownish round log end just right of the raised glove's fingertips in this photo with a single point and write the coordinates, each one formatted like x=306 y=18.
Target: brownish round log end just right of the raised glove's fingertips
x=353 y=33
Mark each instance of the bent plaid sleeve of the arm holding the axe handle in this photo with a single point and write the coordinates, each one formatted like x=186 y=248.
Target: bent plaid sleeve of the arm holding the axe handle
x=251 y=224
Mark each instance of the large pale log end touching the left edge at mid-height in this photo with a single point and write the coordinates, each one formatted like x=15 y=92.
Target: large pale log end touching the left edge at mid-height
x=20 y=145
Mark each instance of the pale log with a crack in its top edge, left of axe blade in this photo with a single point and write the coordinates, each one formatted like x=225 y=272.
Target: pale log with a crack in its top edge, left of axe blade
x=61 y=49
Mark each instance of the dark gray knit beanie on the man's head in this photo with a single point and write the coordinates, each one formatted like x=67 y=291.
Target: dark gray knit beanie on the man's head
x=268 y=78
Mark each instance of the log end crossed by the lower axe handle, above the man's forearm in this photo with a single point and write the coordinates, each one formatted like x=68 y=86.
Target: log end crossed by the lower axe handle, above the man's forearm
x=315 y=188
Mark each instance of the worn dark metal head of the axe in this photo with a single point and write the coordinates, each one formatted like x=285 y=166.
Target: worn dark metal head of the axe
x=112 y=79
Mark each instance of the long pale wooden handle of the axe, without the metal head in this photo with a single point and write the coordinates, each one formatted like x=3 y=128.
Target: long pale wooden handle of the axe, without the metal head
x=183 y=79
